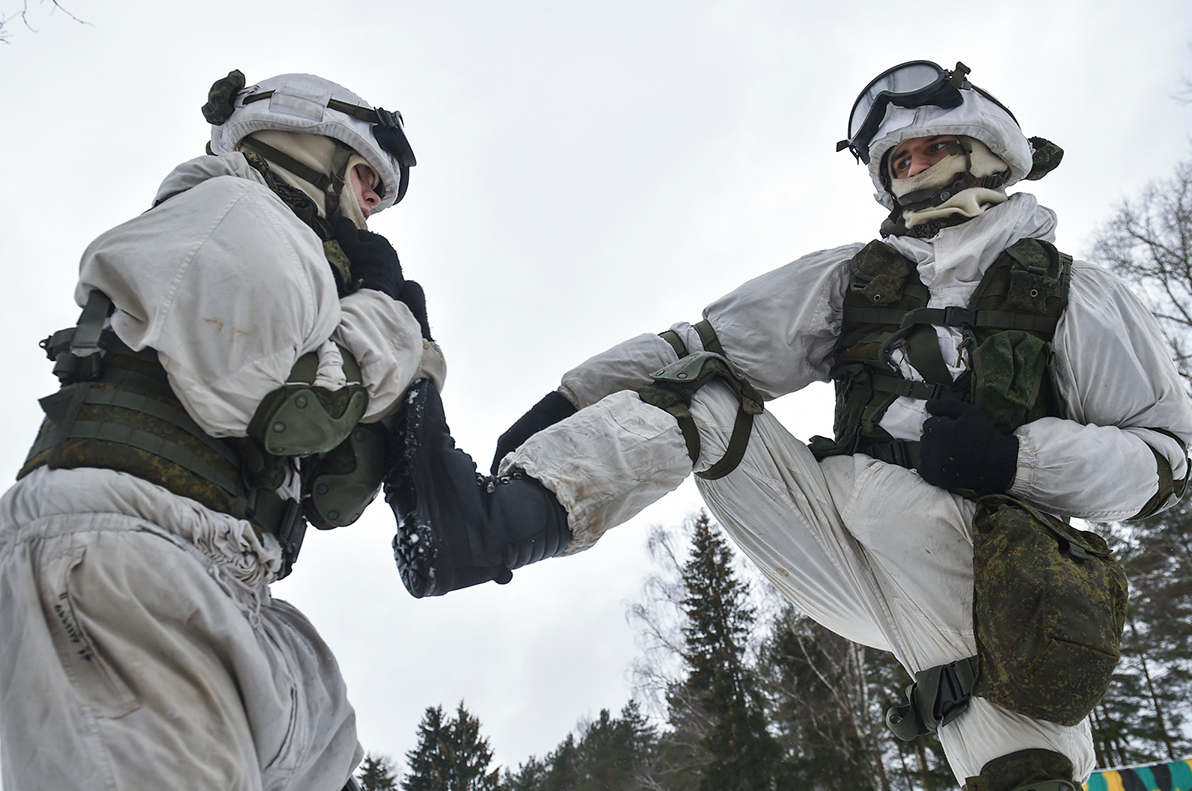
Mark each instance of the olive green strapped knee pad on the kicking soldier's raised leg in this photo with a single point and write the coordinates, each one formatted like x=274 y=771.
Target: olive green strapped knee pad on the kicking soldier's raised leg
x=674 y=388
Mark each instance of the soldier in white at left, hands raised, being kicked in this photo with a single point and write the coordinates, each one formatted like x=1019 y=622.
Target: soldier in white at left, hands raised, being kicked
x=241 y=344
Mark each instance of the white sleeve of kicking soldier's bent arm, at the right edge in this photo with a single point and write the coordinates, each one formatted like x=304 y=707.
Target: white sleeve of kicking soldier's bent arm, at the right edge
x=1125 y=401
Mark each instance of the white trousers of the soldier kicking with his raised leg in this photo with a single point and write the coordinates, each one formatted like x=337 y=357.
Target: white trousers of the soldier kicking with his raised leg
x=868 y=550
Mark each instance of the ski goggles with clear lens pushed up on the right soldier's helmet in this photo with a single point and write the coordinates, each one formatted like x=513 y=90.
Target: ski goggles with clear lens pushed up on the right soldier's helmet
x=914 y=84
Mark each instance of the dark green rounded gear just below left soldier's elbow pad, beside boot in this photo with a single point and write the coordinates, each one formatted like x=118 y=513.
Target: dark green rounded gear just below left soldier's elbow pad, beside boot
x=340 y=484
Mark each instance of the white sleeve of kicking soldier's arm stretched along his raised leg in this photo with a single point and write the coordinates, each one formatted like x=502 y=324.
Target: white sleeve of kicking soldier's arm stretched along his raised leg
x=780 y=328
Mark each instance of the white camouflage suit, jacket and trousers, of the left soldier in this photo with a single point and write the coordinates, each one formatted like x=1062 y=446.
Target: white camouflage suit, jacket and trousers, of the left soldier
x=140 y=647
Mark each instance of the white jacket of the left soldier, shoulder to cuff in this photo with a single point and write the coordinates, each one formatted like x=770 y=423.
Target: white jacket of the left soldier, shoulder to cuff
x=231 y=289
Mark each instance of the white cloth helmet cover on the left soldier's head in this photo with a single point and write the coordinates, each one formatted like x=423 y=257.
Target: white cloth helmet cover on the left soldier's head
x=300 y=104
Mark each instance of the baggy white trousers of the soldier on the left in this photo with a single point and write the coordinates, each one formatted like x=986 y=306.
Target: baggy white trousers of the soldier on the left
x=135 y=657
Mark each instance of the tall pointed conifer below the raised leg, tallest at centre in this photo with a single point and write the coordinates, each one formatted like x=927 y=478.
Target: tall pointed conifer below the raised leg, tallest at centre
x=721 y=697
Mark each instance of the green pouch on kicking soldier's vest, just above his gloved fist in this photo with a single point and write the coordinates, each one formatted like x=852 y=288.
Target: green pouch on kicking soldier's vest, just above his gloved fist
x=1015 y=382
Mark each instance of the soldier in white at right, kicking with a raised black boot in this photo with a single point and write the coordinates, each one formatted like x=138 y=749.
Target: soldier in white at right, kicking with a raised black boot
x=989 y=388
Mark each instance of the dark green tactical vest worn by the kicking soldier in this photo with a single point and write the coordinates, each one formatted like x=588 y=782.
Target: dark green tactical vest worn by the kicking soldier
x=1007 y=329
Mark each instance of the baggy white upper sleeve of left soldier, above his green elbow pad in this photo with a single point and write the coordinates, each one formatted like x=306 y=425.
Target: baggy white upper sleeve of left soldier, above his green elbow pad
x=227 y=285
